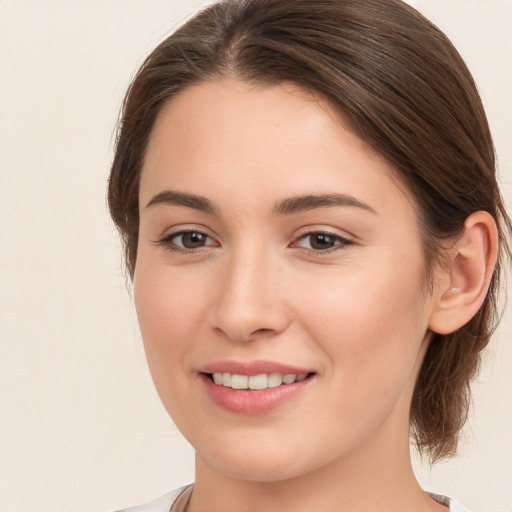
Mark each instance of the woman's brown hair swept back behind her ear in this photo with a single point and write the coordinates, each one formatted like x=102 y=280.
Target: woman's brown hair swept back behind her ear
x=402 y=87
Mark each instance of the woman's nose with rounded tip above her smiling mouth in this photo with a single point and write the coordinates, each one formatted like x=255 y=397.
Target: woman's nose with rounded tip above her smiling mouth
x=250 y=304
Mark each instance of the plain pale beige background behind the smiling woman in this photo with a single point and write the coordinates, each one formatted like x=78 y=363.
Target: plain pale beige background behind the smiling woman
x=81 y=428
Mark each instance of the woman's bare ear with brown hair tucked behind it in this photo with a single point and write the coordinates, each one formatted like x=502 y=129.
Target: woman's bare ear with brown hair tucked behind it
x=465 y=278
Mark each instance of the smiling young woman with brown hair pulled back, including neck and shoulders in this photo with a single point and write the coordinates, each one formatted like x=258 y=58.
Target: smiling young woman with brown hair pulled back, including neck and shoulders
x=307 y=195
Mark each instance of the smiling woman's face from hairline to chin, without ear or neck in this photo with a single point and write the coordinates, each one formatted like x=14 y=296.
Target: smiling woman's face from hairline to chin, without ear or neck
x=273 y=242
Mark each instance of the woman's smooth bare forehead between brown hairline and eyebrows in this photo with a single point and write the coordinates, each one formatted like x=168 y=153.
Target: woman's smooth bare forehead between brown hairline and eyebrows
x=274 y=139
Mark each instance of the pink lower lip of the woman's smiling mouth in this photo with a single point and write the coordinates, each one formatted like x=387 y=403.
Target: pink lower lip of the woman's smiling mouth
x=244 y=401
